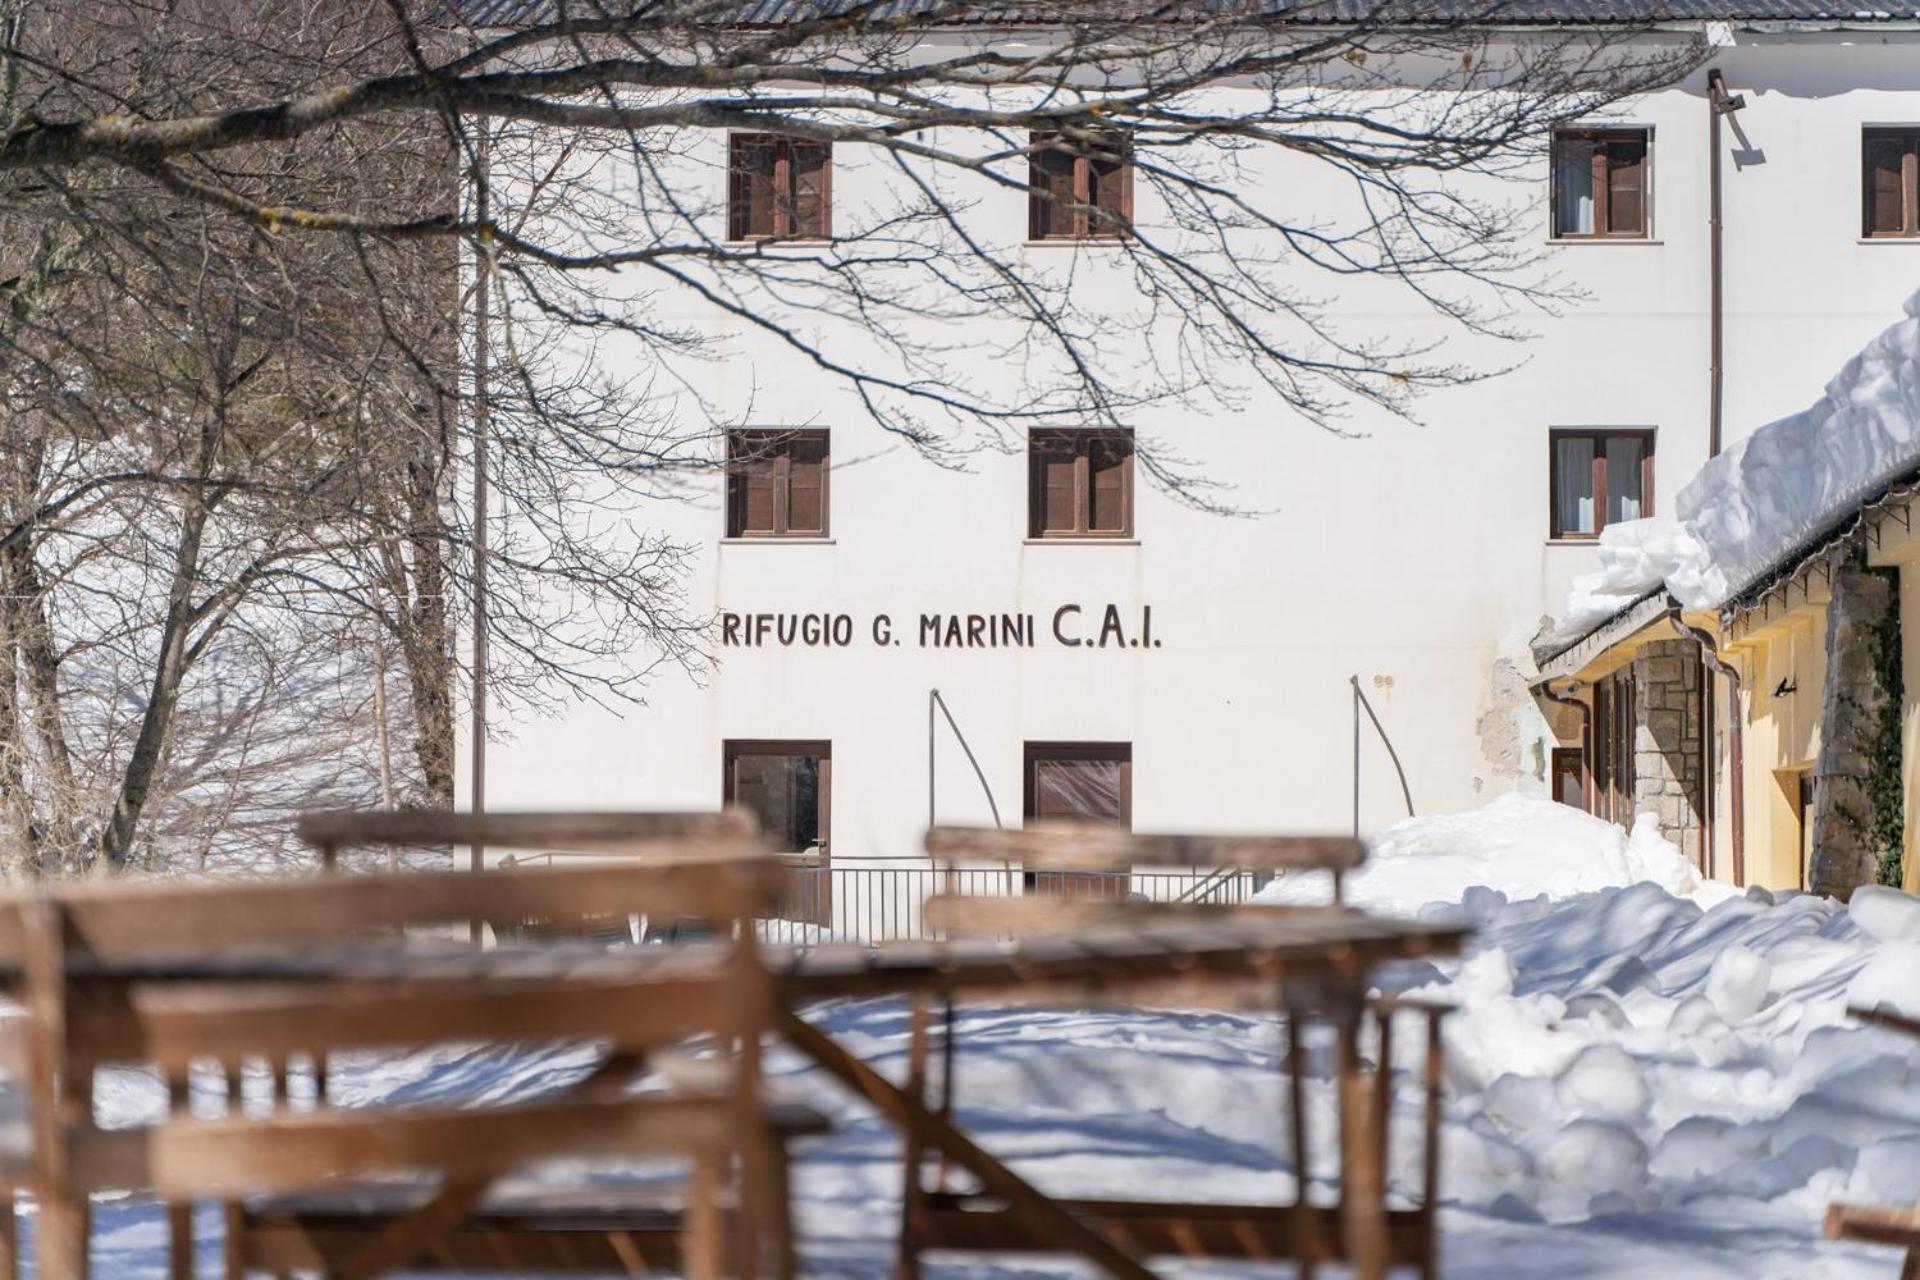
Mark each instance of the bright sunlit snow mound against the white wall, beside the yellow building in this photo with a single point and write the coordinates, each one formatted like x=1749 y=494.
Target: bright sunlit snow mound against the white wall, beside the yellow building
x=1518 y=845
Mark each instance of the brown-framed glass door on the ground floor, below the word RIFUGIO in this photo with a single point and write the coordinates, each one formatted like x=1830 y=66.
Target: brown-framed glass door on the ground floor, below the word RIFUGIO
x=790 y=788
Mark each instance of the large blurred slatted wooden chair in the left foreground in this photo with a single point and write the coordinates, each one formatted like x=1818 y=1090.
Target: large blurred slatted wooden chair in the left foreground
x=178 y=974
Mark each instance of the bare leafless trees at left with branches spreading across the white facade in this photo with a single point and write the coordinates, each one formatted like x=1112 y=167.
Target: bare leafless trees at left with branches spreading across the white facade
x=245 y=243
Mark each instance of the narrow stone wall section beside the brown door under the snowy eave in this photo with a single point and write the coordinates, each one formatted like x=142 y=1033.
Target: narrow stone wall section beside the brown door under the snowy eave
x=1669 y=769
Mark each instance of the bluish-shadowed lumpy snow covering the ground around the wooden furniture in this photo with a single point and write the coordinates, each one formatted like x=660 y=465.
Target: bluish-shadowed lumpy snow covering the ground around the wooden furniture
x=1648 y=1079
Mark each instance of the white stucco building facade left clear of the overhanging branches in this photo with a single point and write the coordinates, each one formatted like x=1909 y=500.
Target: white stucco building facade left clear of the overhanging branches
x=1193 y=667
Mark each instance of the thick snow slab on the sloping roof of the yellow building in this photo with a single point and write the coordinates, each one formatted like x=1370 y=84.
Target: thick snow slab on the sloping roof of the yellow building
x=1769 y=494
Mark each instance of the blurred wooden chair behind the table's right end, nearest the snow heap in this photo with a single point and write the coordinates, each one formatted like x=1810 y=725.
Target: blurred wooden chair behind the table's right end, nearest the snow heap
x=1358 y=1231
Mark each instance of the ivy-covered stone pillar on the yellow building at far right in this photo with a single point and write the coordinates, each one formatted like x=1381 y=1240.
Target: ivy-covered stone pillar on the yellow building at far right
x=1856 y=818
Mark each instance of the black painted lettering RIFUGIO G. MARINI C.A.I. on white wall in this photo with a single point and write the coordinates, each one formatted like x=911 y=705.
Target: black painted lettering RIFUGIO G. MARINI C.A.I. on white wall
x=1070 y=627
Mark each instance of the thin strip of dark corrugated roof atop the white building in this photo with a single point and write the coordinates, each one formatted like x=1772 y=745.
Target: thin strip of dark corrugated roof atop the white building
x=1297 y=12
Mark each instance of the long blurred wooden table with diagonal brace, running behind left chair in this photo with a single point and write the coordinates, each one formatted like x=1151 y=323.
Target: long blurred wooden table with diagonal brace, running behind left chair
x=1322 y=962
